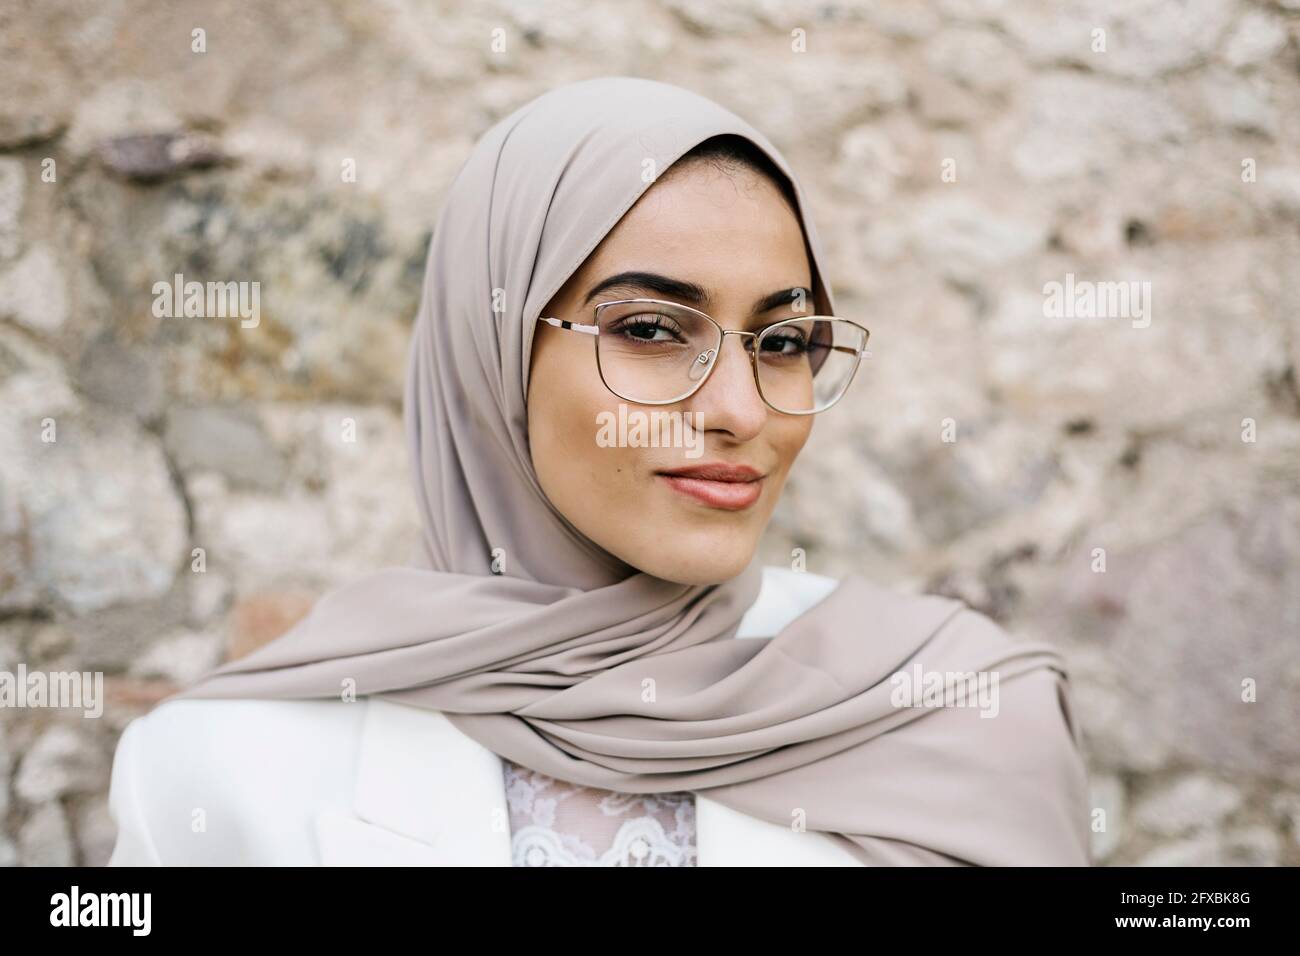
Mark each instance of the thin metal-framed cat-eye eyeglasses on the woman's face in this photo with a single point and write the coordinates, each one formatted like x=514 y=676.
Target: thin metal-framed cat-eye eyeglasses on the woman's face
x=652 y=352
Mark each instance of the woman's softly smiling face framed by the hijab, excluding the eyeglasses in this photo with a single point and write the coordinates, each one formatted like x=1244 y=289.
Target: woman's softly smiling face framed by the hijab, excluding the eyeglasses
x=734 y=237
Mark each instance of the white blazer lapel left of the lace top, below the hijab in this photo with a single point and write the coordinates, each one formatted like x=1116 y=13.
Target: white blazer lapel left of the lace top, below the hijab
x=426 y=795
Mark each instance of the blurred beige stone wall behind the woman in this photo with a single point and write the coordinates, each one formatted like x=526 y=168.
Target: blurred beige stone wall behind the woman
x=1128 y=491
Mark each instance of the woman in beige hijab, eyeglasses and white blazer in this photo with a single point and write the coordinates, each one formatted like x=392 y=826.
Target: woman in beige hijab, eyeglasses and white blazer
x=587 y=665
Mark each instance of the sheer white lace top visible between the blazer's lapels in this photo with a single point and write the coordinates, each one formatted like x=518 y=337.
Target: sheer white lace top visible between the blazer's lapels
x=560 y=824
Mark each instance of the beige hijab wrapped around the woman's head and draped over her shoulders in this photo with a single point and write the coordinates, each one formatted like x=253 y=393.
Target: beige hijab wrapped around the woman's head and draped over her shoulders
x=582 y=668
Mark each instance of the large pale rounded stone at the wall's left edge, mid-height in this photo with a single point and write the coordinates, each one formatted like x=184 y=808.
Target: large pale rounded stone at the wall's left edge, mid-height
x=89 y=512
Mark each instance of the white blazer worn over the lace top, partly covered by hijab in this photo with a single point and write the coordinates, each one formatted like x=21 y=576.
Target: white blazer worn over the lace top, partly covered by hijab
x=330 y=782
